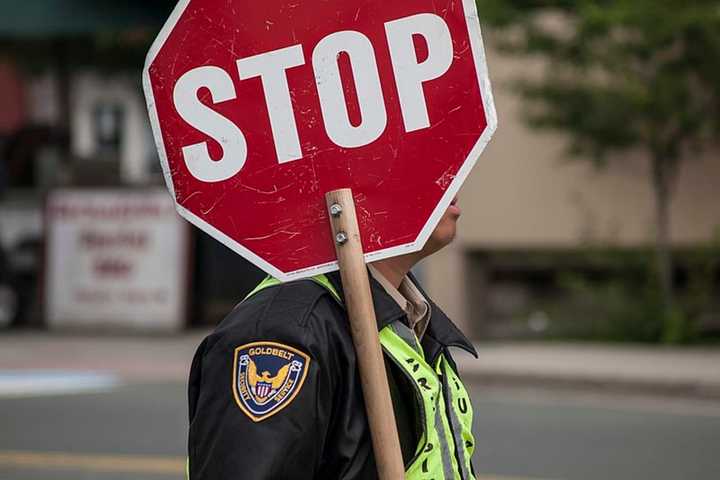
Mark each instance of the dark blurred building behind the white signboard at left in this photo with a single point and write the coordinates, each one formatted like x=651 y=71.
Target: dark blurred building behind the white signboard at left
x=73 y=116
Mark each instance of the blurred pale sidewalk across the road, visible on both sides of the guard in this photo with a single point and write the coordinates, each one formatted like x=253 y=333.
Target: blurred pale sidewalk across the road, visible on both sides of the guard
x=688 y=372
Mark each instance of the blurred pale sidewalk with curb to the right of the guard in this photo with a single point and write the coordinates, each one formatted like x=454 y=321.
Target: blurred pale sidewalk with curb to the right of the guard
x=672 y=371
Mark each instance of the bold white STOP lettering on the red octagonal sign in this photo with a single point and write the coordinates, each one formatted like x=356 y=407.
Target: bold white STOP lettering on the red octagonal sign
x=410 y=73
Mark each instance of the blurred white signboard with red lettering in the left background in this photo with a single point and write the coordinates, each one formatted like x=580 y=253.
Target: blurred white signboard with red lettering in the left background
x=115 y=259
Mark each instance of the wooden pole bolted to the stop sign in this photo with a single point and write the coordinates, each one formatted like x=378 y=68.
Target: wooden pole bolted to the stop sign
x=358 y=301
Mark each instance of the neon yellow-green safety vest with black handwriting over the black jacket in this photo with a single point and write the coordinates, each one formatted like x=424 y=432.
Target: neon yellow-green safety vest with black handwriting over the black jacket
x=446 y=444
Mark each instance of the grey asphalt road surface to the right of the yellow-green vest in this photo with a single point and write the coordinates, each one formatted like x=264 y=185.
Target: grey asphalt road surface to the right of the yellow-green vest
x=563 y=436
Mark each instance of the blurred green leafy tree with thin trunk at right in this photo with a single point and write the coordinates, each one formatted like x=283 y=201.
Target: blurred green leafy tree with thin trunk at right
x=640 y=75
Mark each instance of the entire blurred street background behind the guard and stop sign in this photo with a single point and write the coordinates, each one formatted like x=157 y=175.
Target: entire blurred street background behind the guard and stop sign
x=587 y=267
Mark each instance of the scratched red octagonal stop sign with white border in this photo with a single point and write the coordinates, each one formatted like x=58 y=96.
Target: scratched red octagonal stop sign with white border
x=260 y=108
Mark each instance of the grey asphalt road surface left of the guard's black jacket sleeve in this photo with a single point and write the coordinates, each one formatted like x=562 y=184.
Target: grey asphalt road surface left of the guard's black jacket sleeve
x=136 y=419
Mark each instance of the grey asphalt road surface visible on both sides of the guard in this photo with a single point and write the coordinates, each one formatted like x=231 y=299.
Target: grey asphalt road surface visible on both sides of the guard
x=522 y=433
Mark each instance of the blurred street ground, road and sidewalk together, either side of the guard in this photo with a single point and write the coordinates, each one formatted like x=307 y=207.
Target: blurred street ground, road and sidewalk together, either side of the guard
x=76 y=407
